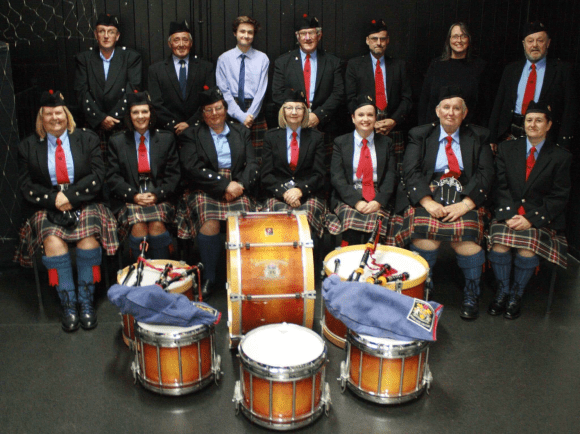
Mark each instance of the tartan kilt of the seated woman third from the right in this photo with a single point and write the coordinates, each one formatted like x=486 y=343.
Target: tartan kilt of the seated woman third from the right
x=346 y=217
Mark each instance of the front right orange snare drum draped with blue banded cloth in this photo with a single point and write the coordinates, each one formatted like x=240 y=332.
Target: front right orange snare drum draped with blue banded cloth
x=386 y=371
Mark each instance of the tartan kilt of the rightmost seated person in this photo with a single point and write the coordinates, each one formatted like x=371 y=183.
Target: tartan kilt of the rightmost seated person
x=543 y=242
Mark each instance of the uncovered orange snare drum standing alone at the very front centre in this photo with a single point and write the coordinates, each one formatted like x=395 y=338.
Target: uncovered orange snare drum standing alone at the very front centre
x=282 y=374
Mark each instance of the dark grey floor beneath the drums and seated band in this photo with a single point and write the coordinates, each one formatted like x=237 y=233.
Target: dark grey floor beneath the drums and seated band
x=490 y=375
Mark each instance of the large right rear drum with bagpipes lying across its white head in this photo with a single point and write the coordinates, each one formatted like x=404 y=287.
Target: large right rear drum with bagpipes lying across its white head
x=401 y=260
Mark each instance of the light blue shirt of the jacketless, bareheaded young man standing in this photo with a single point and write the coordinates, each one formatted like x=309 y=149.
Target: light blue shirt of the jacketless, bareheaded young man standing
x=256 y=80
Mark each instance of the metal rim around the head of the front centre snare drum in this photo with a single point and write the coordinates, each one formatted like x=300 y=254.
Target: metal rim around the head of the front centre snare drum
x=282 y=373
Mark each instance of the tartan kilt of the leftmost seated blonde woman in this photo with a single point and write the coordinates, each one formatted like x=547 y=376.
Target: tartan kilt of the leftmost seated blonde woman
x=96 y=220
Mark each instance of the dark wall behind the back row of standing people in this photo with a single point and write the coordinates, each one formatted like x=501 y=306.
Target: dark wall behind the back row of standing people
x=417 y=29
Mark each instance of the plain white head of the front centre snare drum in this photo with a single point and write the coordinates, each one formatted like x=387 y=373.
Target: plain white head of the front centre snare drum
x=282 y=345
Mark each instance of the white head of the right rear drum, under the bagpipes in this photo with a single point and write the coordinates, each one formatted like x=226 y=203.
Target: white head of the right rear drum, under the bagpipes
x=350 y=260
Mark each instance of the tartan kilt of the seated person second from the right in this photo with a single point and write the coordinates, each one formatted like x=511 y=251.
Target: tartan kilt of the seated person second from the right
x=418 y=223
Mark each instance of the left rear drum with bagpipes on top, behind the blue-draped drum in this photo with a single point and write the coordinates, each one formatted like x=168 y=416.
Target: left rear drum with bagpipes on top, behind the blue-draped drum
x=150 y=276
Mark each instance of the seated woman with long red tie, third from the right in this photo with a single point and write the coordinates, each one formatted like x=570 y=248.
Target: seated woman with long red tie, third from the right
x=362 y=176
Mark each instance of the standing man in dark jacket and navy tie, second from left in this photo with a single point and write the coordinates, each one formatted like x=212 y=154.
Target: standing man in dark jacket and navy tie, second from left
x=175 y=83
